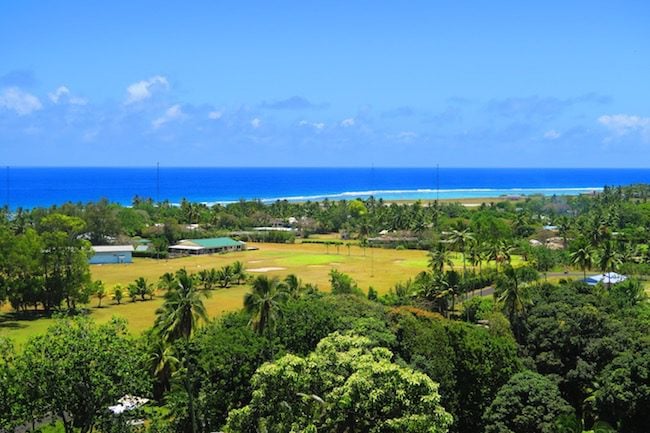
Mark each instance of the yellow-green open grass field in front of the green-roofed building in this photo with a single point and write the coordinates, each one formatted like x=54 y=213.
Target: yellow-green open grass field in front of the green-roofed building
x=379 y=268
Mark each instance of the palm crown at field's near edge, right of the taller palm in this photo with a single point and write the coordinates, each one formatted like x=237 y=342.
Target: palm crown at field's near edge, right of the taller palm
x=263 y=302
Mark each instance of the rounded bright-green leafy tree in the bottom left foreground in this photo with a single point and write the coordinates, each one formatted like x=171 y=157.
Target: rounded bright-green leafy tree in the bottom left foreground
x=77 y=369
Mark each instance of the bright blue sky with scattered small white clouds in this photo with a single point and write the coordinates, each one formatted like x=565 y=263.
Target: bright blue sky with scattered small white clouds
x=331 y=83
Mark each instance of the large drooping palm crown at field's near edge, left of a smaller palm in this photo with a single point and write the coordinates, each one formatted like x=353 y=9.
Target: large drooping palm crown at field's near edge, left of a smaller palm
x=182 y=309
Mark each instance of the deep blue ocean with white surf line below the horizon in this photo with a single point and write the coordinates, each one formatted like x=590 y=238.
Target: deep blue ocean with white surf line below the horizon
x=30 y=187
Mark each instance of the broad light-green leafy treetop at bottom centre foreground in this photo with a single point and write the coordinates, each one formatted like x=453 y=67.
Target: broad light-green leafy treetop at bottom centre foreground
x=345 y=385
